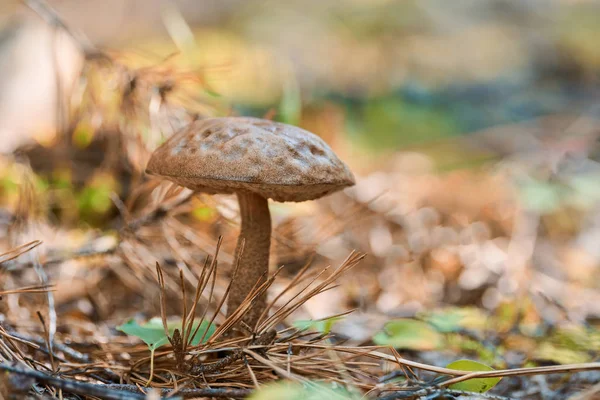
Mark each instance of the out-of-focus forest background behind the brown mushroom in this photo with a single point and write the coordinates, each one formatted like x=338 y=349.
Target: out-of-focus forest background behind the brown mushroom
x=472 y=127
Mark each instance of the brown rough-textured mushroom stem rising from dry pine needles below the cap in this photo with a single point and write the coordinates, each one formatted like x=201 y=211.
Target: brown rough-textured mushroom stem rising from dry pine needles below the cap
x=254 y=262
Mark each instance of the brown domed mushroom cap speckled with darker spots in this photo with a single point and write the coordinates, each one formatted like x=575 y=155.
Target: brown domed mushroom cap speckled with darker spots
x=232 y=154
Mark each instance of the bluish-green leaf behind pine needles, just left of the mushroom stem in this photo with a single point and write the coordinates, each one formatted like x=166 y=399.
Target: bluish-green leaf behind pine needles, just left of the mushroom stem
x=153 y=334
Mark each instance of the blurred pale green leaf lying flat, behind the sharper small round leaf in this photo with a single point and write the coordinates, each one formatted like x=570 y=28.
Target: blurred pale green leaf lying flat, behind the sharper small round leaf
x=409 y=334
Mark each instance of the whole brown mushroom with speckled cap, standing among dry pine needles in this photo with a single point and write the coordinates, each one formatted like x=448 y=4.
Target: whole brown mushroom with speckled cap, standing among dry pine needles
x=256 y=159
